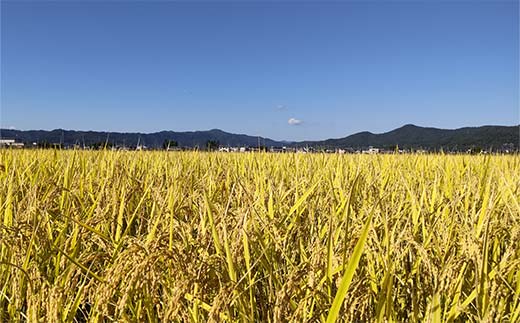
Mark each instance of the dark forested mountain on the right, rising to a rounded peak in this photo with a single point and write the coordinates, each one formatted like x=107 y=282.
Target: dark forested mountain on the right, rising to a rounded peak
x=412 y=136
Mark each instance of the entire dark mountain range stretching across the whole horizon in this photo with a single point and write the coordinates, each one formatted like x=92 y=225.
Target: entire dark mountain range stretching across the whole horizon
x=408 y=136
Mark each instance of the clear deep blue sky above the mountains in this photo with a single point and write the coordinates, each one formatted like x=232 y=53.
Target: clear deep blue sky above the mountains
x=331 y=68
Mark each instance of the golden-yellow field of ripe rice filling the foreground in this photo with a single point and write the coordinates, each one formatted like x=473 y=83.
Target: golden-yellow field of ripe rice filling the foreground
x=256 y=237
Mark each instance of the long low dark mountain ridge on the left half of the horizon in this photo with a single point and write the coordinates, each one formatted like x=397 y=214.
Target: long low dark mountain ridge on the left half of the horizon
x=152 y=140
